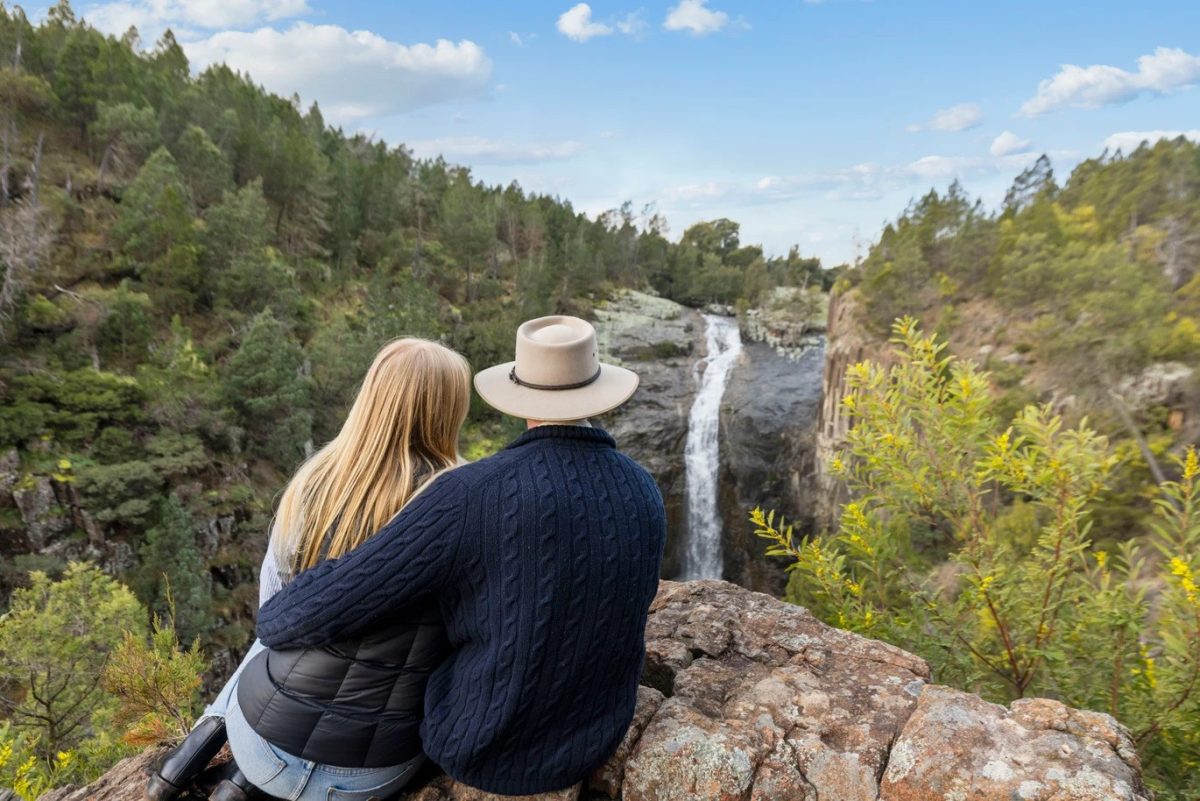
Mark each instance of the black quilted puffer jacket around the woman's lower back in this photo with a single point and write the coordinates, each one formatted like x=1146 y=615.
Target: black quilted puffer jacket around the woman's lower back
x=356 y=704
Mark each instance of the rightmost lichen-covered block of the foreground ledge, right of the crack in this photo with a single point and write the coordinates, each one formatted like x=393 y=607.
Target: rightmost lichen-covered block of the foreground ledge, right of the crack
x=958 y=746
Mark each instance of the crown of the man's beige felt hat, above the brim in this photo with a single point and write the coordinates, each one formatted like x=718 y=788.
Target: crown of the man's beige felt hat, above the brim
x=556 y=352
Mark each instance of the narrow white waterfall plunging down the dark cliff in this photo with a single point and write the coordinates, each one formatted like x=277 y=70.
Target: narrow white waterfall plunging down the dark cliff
x=703 y=556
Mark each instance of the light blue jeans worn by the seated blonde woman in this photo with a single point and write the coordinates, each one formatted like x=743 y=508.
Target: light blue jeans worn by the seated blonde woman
x=285 y=776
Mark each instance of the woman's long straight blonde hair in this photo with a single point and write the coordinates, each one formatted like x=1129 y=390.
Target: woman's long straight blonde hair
x=403 y=431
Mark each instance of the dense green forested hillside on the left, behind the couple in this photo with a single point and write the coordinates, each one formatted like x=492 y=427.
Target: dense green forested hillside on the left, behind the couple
x=196 y=275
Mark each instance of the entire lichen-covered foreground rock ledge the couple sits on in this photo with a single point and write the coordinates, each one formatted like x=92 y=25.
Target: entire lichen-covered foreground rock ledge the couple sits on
x=747 y=698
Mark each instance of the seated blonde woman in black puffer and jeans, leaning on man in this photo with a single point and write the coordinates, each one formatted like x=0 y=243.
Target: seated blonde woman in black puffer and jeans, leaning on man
x=340 y=722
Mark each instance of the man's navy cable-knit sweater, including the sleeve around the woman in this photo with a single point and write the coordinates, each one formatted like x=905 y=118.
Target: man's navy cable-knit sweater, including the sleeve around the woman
x=544 y=559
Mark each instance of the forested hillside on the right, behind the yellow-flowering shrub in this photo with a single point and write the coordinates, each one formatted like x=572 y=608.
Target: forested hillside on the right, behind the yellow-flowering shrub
x=1084 y=294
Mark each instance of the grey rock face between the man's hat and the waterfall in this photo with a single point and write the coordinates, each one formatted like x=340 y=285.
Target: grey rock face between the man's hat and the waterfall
x=662 y=341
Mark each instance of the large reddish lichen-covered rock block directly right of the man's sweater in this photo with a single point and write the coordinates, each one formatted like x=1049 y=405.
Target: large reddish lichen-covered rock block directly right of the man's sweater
x=763 y=691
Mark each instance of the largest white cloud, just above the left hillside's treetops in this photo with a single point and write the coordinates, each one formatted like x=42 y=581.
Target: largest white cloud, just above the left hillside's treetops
x=353 y=75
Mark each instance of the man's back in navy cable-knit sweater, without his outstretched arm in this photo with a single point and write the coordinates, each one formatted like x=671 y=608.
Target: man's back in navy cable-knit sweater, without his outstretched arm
x=567 y=537
